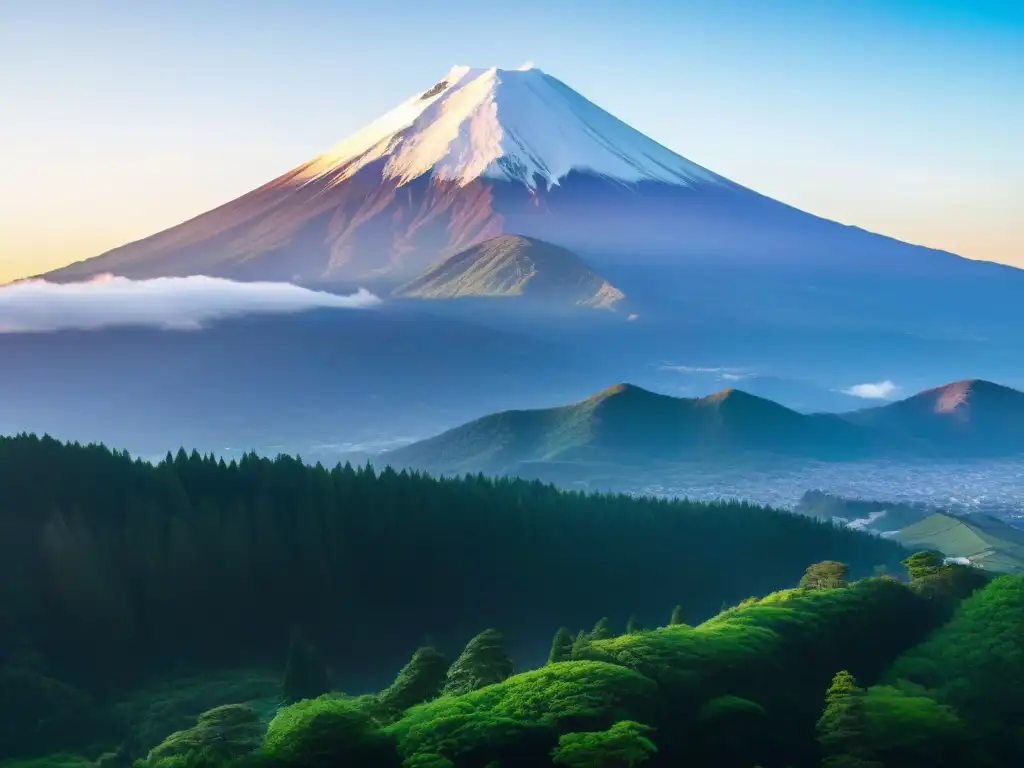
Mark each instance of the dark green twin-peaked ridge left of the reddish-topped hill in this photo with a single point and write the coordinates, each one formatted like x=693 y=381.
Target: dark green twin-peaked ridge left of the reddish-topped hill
x=629 y=425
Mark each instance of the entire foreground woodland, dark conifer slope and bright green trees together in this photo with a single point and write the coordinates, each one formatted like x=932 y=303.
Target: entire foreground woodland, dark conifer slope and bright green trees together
x=117 y=573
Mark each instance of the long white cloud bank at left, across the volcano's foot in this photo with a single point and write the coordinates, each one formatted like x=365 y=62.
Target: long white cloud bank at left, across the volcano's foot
x=175 y=304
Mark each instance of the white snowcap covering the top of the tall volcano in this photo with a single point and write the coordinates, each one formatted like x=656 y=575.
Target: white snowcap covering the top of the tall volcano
x=515 y=125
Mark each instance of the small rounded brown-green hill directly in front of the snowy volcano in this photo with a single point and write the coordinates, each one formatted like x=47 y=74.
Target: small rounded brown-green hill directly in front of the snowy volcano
x=514 y=266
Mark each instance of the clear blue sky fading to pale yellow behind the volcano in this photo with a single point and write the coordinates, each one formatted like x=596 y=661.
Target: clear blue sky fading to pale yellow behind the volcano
x=120 y=118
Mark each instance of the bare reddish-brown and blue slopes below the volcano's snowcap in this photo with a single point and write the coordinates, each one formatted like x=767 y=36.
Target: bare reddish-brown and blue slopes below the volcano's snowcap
x=366 y=228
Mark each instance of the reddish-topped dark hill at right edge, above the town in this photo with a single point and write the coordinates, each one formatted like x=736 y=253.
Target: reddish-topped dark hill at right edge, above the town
x=975 y=415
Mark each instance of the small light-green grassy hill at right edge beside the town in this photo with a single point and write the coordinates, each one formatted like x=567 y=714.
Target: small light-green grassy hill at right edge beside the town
x=985 y=541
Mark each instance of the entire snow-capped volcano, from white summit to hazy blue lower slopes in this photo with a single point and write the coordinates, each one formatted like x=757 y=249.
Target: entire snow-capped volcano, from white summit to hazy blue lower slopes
x=486 y=153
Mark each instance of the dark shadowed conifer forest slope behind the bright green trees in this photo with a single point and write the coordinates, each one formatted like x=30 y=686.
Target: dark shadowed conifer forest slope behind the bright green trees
x=112 y=569
